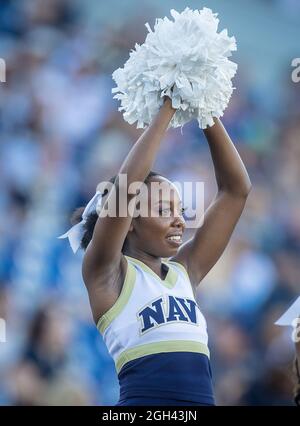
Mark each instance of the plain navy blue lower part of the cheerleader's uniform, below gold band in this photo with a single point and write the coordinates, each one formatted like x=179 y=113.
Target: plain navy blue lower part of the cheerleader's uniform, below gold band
x=168 y=378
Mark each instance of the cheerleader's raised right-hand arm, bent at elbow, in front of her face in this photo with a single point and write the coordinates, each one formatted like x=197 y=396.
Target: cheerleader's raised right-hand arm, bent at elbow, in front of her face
x=201 y=252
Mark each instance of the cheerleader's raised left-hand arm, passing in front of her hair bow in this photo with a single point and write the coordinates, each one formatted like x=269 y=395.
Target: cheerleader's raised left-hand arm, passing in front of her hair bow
x=103 y=255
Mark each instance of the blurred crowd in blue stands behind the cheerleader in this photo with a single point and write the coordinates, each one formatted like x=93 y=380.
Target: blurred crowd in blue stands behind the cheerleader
x=62 y=133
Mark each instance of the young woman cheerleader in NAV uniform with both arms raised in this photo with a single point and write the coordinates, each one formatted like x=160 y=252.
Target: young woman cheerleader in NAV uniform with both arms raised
x=143 y=304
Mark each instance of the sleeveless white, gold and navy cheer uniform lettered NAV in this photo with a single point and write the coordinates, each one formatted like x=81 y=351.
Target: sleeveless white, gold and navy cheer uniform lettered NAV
x=157 y=336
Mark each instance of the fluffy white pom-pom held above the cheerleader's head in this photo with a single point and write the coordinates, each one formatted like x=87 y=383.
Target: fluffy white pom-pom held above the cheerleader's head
x=185 y=59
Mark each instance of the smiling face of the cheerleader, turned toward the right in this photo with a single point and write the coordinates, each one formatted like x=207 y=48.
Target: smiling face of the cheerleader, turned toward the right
x=160 y=233
